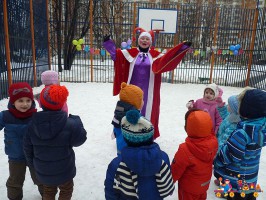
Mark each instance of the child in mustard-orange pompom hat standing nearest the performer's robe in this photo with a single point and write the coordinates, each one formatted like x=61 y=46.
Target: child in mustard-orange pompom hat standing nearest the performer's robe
x=131 y=98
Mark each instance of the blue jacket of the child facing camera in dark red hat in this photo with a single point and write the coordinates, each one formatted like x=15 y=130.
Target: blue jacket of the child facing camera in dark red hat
x=14 y=130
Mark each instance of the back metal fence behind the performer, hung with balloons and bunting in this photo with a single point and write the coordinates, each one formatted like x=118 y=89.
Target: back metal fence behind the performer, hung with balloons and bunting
x=212 y=29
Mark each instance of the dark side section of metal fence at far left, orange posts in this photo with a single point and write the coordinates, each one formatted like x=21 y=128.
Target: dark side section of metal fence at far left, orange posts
x=24 y=39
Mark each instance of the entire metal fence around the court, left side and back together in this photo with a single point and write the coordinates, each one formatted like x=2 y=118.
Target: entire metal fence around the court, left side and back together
x=212 y=30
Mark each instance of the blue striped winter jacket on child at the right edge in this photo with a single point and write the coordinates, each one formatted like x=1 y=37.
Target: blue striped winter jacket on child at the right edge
x=240 y=155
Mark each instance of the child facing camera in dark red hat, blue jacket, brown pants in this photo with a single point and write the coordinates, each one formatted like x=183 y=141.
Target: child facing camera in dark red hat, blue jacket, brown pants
x=15 y=120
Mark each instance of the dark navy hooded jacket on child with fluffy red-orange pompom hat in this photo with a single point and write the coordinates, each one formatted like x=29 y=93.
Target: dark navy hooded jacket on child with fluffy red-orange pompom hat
x=48 y=145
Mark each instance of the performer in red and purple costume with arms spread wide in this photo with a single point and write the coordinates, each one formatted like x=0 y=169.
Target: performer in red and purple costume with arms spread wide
x=143 y=66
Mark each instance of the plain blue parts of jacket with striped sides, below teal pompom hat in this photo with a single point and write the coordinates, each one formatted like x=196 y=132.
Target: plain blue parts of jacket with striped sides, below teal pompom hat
x=145 y=161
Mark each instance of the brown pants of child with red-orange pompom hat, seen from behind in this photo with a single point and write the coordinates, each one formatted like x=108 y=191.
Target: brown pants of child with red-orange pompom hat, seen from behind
x=66 y=191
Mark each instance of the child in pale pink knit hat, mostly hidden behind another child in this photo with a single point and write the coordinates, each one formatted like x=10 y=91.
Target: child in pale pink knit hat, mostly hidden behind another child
x=50 y=77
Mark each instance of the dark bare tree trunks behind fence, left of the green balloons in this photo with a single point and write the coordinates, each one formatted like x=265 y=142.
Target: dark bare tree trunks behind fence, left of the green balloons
x=66 y=17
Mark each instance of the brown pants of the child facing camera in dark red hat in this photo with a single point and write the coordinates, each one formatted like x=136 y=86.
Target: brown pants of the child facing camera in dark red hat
x=15 y=181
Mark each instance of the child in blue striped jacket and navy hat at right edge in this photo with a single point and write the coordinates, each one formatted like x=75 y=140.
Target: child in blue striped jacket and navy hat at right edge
x=239 y=157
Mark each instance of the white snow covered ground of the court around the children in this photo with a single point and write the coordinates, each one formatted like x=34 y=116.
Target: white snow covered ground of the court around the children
x=94 y=103
